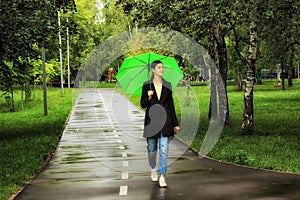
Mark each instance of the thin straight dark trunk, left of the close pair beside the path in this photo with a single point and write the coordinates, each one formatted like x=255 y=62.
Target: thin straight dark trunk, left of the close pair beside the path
x=212 y=113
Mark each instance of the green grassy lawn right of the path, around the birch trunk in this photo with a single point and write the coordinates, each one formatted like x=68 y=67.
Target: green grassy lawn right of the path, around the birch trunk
x=275 y=143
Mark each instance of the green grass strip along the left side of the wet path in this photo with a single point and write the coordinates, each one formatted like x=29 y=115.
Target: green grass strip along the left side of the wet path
x=27 y=137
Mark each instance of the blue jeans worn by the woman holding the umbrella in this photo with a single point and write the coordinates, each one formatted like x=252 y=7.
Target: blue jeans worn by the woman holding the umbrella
x=163 y=153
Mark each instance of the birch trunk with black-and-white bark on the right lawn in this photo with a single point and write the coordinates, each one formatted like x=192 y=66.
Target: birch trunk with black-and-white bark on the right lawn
x=248 y=115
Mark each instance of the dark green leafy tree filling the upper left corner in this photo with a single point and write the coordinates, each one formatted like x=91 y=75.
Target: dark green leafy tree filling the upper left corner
x=25 y=25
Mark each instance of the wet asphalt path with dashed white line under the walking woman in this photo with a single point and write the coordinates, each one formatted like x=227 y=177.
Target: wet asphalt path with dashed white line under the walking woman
x=102 y=155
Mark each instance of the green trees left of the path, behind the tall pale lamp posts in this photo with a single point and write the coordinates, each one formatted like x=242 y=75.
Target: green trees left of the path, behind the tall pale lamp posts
x=26 y=26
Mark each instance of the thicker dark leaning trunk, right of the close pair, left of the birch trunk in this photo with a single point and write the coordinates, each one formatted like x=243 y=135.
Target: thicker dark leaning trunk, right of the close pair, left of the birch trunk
x=223 y=67
